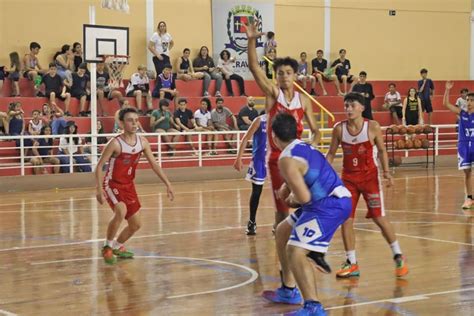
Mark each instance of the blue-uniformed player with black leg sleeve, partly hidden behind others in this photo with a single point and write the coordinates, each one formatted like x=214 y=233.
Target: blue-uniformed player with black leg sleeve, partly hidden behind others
x=257 y=171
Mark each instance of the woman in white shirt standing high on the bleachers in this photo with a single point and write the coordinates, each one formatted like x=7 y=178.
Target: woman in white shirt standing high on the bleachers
x=160 y=45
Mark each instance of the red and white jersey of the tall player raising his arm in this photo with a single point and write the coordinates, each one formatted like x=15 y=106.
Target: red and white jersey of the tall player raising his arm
x=295 y=108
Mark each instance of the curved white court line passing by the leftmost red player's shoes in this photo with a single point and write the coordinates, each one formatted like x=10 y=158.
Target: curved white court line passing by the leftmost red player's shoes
x=253 y=273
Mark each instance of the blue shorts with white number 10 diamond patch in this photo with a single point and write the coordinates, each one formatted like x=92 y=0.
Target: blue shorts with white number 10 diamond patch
x=313 y=229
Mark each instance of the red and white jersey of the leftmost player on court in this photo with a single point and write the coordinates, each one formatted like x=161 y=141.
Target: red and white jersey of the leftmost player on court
x=122 y=168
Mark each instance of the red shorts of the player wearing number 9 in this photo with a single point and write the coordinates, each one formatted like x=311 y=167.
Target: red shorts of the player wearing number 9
x=369 y=186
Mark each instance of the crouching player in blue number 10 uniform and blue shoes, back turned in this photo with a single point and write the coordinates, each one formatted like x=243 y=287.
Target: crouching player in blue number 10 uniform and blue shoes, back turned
x=324 y=204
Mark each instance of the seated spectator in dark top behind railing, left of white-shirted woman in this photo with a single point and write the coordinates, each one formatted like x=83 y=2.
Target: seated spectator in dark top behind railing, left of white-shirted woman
x=42 y=153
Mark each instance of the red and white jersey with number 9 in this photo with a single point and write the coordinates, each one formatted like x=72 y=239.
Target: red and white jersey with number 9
x=360 y=155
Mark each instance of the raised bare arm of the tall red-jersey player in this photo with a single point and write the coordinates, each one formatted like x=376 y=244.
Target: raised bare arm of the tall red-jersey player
x=266 y=85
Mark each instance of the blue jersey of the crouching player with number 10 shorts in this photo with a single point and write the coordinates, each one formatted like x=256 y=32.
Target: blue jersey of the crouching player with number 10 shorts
x=320 y=178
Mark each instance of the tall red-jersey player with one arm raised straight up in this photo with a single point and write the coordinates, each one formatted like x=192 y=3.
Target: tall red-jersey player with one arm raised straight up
x=281 y=97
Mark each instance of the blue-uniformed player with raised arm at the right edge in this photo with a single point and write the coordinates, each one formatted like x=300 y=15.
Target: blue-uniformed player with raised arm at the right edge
x=465 y=140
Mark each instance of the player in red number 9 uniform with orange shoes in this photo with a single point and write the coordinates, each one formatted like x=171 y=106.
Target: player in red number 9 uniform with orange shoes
x=362 y=141
